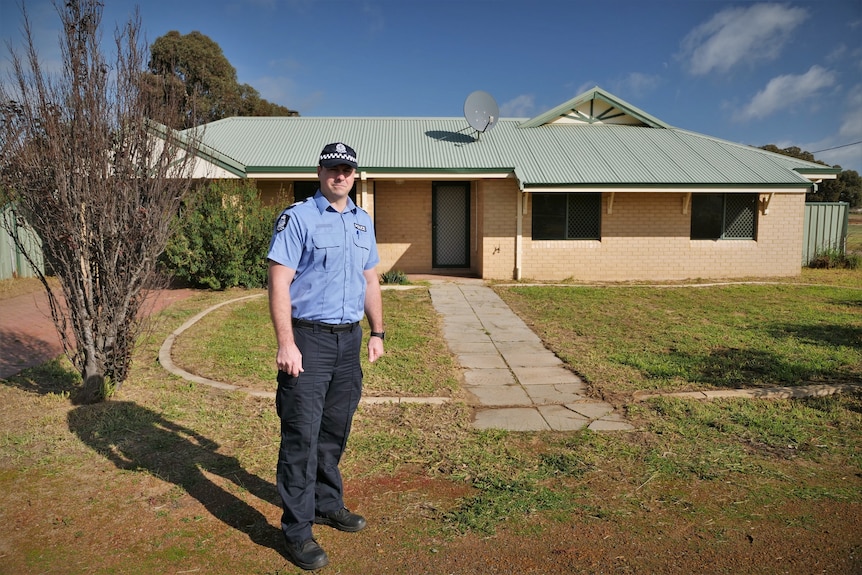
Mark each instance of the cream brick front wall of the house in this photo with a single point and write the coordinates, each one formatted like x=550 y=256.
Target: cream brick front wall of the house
x=646 y=237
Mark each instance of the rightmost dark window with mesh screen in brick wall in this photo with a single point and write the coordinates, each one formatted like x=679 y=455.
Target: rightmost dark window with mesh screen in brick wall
x=724 y=216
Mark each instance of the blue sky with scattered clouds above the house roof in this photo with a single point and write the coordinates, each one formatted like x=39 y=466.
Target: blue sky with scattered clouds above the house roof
x=785 y=73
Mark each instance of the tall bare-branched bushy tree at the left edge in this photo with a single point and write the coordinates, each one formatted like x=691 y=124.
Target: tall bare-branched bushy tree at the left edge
x=80 y=160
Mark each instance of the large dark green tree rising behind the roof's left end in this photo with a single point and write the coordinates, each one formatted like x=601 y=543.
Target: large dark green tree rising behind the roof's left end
x=194 y=66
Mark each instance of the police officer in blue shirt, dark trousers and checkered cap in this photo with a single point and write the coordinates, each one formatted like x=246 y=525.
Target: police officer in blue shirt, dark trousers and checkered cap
x=322 y=279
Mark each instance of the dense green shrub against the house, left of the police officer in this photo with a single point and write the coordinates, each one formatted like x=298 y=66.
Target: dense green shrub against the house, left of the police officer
x=222 y=237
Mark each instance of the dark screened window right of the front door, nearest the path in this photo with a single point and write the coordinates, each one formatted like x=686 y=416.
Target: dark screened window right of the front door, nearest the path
x=567 y=216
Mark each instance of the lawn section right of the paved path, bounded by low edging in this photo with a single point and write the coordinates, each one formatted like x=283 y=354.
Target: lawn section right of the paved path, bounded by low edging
x=623 y=339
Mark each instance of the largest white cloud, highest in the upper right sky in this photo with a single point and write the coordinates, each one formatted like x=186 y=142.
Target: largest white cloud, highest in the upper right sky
x=736 y=35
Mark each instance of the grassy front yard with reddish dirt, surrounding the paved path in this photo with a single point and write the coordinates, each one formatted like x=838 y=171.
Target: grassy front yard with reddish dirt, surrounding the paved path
x=173 y=477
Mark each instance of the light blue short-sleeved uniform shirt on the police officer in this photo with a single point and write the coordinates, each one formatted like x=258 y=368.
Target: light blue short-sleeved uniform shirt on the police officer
x=329 y=251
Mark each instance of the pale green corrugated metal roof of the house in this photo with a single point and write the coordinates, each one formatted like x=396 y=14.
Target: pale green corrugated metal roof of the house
x=593 y=140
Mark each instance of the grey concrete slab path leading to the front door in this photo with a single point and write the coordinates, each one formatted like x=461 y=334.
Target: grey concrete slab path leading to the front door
x=519 y=384
